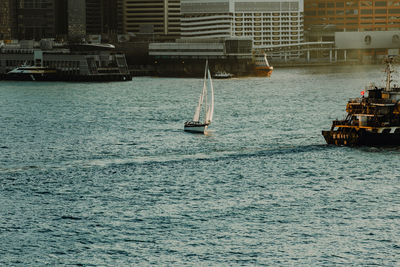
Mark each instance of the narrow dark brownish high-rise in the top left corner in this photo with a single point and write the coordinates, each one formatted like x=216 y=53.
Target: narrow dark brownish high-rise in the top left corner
x=8 y=24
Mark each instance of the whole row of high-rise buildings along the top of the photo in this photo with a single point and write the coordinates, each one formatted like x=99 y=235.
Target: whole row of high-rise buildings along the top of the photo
x=31 y=19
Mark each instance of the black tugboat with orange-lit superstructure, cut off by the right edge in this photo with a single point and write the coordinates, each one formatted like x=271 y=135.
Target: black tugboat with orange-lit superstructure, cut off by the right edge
x=371 y=121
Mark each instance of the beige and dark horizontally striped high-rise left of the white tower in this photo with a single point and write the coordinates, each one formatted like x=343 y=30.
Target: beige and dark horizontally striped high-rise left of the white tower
x=161 y=17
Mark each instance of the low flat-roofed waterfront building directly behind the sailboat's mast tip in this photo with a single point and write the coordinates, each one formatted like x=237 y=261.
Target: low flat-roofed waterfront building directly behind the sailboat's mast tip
x=186 y=57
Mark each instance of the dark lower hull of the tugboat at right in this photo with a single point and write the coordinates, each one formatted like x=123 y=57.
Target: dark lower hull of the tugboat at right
x=361 y=138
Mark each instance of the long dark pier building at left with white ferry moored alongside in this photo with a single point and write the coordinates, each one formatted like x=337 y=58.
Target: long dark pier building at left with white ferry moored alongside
x=76 y=63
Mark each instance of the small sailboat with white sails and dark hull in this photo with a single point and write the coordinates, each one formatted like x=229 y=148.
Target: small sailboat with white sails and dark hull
x=203 y=107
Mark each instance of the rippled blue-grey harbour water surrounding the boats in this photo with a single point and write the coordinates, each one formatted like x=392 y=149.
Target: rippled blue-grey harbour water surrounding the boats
x=102 y=174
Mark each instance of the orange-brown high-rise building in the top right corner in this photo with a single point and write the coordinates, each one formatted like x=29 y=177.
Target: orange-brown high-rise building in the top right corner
x=324 y=17
